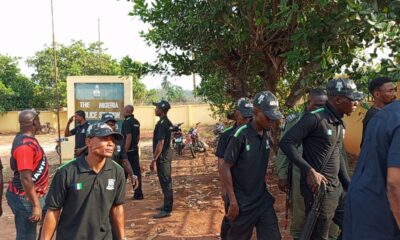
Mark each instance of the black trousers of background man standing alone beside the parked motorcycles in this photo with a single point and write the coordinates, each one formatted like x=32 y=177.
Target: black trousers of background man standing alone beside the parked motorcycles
x=164 y=176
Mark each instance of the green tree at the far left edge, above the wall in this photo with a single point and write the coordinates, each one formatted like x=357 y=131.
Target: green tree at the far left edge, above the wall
x=16 y=90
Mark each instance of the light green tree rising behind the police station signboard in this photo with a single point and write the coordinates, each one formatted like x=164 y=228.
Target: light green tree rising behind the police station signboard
x=76 y=59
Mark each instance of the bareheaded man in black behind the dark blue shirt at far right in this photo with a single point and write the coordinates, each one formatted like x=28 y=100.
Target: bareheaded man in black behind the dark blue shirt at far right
x=383 y=91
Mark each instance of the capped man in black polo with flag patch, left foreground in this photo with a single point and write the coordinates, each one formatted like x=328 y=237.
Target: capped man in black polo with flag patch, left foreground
x=87 y=191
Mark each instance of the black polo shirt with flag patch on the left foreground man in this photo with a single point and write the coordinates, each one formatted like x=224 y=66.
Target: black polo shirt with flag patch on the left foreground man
x=86 y=198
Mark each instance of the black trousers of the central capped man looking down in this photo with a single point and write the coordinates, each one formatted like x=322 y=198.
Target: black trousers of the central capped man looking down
x=263 y=219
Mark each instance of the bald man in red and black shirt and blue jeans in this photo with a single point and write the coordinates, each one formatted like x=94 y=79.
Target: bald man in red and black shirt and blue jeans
x=28 y=187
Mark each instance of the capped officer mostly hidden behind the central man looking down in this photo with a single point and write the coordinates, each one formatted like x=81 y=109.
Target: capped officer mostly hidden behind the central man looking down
x=243 y=115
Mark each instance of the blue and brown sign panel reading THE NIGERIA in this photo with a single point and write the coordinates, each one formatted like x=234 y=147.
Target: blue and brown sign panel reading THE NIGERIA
x=98 y=98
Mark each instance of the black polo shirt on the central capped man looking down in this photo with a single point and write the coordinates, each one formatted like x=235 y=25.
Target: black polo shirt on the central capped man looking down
x=249 y=154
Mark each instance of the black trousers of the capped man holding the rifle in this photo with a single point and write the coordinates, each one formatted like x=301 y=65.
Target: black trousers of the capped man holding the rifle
x=332 y=209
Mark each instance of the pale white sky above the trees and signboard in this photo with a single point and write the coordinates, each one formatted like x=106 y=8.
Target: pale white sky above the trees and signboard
x=25 y=27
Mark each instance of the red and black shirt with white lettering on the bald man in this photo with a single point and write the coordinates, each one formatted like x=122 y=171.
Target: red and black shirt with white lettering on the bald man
x=27 y=154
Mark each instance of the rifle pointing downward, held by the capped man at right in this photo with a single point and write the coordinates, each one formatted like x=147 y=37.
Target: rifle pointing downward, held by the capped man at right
x=312 y=216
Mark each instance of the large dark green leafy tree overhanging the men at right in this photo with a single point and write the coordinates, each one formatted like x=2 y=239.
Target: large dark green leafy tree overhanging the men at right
x=241 y=47
